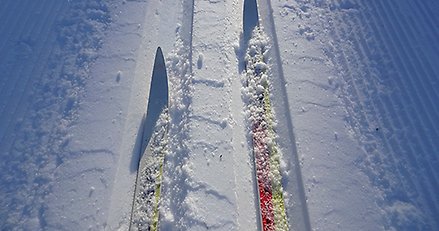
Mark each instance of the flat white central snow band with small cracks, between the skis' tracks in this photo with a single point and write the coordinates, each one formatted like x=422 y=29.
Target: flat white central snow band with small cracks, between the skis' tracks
x=212 y=32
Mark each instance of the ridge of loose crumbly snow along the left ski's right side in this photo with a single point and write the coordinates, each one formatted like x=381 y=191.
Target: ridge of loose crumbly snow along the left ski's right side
x=177 y=169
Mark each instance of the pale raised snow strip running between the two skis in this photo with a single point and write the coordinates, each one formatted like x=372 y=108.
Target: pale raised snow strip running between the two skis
x=200 y=190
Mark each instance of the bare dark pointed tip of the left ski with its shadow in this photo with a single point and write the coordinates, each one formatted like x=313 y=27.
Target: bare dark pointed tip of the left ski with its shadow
x=157 y=102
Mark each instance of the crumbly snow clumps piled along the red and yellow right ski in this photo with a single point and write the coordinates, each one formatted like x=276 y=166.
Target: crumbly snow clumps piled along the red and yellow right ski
x=261 y=126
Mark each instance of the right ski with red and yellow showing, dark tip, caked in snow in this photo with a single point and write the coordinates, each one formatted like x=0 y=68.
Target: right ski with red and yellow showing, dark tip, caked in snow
x=266 y=154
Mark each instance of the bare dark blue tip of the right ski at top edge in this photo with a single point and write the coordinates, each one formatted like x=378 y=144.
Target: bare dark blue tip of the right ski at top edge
x=249 y=22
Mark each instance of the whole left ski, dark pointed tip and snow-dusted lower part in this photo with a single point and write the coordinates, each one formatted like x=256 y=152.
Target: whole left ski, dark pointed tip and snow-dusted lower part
x=154 y=146
